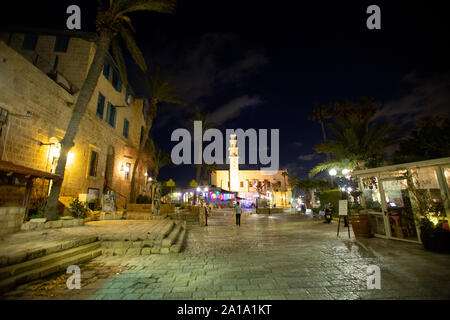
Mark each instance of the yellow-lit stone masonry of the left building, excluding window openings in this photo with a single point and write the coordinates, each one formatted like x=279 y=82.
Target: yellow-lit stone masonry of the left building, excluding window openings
x=24 y=87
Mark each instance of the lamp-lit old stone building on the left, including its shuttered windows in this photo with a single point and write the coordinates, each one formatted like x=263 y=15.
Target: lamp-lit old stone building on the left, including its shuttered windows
x=40 y=78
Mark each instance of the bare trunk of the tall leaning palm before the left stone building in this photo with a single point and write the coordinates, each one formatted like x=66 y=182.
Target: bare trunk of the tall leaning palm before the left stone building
x=89 y=85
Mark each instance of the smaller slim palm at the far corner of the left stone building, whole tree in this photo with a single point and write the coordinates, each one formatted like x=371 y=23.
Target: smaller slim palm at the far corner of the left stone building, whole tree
x=161 y=90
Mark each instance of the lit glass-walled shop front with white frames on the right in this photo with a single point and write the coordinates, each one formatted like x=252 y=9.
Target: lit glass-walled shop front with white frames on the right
x=388 y=199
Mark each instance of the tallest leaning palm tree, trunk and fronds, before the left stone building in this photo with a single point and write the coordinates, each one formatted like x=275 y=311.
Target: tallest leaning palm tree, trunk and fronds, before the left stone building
x=112 y=21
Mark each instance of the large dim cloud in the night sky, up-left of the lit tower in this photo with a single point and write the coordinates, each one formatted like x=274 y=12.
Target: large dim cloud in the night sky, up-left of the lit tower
x=203 y=68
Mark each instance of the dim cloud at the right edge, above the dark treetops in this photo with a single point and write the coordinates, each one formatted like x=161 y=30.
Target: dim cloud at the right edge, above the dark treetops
x=425 y=97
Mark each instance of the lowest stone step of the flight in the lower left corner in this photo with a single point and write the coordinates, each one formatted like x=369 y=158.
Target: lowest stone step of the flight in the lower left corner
x=61 y=261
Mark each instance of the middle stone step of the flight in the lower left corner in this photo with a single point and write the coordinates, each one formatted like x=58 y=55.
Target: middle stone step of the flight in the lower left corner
x=16 y=269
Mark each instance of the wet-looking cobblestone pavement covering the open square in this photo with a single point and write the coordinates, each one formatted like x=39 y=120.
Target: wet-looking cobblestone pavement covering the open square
x=268 y=257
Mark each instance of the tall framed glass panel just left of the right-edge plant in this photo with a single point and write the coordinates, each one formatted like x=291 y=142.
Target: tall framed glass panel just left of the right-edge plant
x=399 y=209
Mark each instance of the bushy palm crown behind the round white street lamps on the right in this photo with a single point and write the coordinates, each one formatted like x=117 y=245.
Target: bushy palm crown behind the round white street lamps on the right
x=358 y=144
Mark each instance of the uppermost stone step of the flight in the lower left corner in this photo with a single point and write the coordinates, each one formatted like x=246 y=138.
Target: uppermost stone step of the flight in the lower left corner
x=23 y=256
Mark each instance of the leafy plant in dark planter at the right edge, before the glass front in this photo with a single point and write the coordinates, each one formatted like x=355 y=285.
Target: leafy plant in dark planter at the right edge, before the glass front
x=429 y=216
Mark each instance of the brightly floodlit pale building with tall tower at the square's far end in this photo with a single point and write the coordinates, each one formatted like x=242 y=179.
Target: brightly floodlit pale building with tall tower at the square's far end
x=252 y=185
